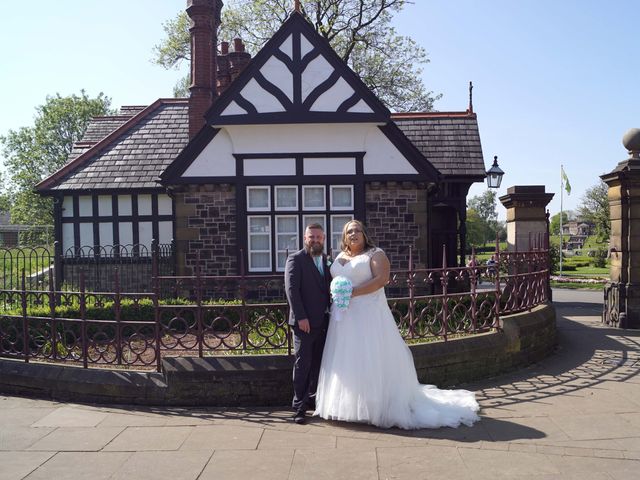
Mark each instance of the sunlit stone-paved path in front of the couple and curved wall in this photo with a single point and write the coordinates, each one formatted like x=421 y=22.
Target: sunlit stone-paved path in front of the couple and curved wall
x=574 y=416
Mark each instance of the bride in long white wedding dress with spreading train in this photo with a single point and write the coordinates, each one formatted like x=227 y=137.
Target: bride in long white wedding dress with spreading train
x=367 y=373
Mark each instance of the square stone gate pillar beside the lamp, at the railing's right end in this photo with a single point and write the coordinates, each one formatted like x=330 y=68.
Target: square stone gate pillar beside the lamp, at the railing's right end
x=526 y=215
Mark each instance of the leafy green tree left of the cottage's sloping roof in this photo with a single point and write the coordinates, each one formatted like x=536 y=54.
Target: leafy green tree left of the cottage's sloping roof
x=33 y=153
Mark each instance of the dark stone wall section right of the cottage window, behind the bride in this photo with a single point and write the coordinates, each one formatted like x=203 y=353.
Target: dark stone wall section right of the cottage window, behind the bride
x=397 y=219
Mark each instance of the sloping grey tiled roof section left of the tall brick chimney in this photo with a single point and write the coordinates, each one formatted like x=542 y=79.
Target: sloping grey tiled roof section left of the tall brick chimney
x=132 y=152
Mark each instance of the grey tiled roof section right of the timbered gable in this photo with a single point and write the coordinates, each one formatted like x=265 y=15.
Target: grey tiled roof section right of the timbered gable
x=449 y=140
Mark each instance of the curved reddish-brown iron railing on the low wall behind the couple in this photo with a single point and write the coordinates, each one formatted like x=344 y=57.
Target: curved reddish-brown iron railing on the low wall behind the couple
x=207 y=315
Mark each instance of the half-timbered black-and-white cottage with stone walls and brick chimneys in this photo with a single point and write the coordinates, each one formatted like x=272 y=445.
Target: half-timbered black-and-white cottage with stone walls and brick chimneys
x=262 y=147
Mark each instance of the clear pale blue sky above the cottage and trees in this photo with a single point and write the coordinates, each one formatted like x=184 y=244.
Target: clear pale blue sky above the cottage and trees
x=555 y=81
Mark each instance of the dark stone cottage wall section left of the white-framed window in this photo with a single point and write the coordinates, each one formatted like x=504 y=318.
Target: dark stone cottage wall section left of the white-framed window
x=206 y=225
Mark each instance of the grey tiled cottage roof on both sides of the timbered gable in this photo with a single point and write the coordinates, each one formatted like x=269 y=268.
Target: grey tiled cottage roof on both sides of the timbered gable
x=131 y=149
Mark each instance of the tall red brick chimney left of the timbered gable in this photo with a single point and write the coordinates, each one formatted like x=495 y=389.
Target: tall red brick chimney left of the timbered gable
x=205 y=17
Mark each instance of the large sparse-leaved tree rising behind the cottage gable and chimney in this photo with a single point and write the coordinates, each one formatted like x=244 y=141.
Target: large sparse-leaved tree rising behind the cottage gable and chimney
x=360 y=31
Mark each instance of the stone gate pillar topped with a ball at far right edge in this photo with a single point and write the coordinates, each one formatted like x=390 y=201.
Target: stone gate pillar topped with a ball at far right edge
x=622 y=292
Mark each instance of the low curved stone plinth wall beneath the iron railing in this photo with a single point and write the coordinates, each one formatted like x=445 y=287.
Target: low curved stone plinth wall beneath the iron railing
x=266 y=380
